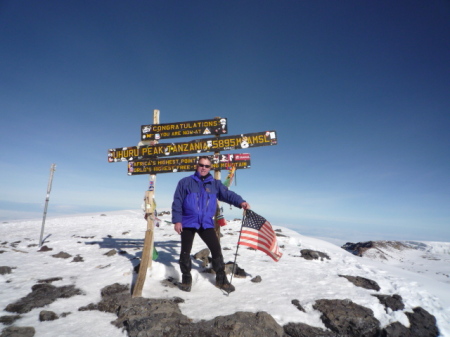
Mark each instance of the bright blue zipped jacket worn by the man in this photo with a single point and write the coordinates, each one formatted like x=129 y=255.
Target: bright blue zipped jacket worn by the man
x=195 y=201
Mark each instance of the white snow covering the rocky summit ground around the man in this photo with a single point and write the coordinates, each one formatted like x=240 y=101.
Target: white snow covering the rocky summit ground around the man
x=420 y=276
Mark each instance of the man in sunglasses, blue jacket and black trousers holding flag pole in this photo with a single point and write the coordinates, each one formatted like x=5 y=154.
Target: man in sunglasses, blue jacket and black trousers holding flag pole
x=193 y=210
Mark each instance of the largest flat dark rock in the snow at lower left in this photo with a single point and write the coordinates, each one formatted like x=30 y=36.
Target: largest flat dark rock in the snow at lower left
x=42 y=295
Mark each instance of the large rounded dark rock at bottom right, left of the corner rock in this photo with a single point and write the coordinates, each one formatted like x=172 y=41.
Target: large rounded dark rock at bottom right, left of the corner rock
x=347 y=318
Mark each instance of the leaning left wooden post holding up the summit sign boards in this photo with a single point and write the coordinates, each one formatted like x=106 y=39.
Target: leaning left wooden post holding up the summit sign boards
x=147 y=251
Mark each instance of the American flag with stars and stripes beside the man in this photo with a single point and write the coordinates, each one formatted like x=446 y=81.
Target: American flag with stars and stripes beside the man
x=257 y=233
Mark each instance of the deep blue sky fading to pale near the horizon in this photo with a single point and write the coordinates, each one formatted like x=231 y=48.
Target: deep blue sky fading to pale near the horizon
x=358 y=92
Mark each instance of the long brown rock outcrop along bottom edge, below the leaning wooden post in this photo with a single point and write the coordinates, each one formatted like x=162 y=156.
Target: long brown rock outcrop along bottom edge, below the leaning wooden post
x=162 y=317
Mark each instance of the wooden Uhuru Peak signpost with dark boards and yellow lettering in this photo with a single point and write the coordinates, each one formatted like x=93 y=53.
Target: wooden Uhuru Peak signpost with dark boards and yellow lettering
x=151 y=157
